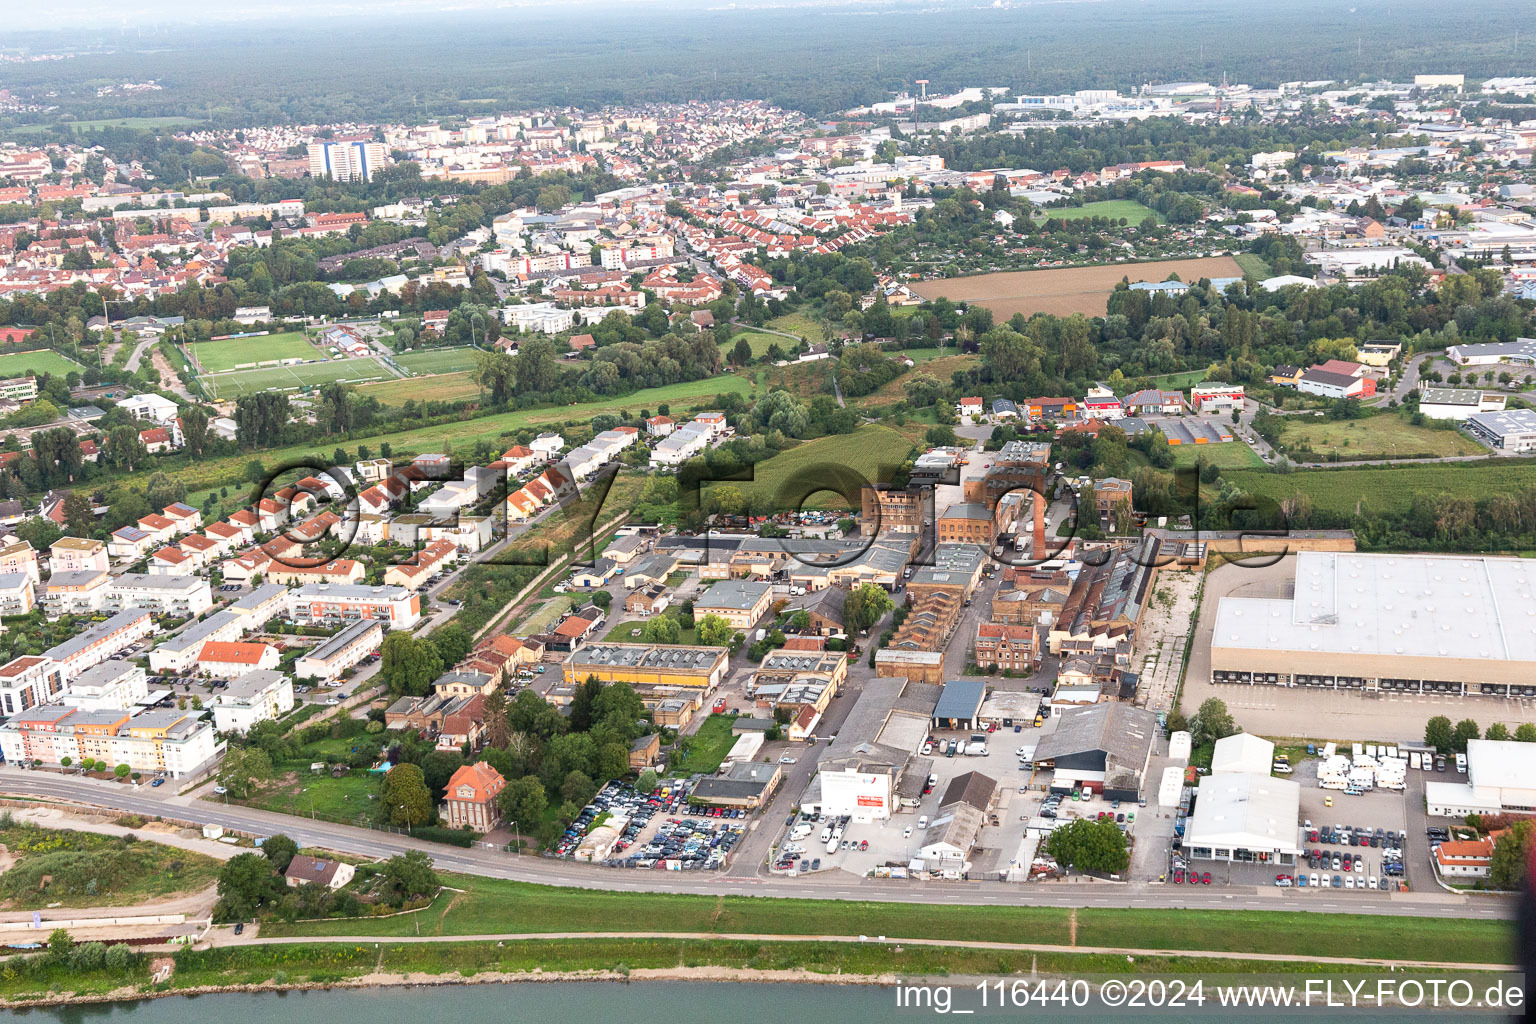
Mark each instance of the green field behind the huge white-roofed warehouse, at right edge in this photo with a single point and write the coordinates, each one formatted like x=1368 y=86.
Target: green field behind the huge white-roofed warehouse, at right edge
x=1389 y=489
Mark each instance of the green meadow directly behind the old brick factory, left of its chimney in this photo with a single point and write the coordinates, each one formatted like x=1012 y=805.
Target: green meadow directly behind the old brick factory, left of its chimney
x=841 y=461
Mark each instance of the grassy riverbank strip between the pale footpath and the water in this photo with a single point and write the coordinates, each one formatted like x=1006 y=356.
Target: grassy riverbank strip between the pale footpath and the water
x=356 y=965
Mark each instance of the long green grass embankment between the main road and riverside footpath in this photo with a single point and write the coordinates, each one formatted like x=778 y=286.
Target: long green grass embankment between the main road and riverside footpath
x=489 y=907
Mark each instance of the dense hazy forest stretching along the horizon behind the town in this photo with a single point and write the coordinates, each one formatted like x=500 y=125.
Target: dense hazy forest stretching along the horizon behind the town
x=414 y=70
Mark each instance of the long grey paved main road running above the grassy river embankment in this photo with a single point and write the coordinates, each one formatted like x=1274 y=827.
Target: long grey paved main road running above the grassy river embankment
x=833 y=887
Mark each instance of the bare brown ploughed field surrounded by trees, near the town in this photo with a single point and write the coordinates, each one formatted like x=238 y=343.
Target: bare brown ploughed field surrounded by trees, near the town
x=1067 y=291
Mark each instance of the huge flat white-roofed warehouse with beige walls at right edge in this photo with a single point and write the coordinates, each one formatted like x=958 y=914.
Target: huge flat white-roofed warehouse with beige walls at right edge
x=1391 y=623
